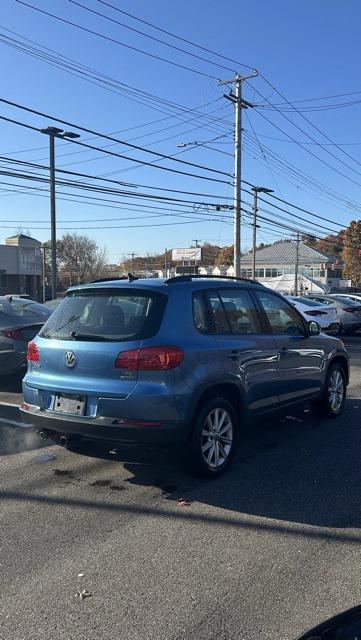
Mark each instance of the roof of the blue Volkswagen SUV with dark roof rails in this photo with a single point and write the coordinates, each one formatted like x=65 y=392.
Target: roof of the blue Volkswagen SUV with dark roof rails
x=164 y=284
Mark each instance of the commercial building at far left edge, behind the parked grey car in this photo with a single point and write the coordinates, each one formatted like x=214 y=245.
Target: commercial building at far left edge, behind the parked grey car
x=20 y=266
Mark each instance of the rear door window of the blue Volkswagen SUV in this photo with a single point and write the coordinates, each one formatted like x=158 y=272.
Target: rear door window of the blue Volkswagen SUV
x=240 y=311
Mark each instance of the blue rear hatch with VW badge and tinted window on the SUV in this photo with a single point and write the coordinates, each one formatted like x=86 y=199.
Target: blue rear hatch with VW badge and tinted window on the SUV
x=75 y=354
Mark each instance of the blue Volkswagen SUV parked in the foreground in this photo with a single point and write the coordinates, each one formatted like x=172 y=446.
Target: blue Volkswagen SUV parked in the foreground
x=184 y=360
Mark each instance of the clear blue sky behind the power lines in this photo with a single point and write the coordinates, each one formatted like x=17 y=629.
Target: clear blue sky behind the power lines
x=307 y=49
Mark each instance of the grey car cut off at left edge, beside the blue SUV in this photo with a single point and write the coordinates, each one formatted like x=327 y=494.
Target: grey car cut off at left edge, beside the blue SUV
x=20 y=321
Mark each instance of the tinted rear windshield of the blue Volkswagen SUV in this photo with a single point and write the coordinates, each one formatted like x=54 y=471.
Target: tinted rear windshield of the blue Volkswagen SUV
x=106 y=315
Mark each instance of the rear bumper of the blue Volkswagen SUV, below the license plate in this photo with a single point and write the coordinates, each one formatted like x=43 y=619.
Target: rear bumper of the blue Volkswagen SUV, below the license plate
x=106 y=429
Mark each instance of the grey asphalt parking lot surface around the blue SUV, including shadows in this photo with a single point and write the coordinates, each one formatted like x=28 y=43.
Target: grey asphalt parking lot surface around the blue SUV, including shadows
x=267 y=551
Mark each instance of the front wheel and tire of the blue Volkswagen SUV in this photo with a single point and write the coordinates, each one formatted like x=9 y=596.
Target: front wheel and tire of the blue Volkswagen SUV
x=333 y=399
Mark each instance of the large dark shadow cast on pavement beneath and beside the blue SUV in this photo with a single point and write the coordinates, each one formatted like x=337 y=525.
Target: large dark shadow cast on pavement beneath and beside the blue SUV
x=297 y=469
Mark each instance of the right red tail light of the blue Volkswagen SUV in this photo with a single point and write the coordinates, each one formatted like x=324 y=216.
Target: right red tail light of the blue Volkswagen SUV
x=150 y=359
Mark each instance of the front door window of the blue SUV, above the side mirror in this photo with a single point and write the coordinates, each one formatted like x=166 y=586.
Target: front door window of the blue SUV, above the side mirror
x=282 y=317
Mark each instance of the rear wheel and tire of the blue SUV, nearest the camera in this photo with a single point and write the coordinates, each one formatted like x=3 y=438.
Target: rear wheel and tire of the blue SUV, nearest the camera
x=212 y=448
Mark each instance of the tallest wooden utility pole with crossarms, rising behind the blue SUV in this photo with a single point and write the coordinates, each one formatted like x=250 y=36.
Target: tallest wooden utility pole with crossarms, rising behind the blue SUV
x=239 y=104
